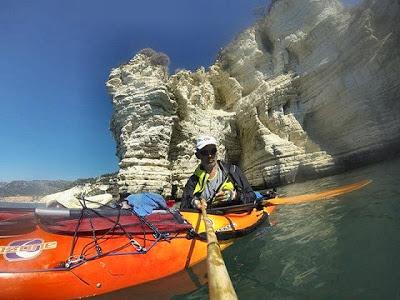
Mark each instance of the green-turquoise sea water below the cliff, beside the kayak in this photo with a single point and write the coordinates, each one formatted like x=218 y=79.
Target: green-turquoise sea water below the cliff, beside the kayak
x=345 y=248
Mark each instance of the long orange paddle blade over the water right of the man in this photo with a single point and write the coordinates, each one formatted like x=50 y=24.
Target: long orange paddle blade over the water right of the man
x=319 y=195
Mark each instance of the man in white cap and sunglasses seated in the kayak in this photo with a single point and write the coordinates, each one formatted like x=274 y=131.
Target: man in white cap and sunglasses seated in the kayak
x=217 y=182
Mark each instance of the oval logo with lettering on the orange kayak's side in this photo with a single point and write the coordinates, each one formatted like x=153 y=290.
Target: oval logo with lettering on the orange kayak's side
x=25 y=249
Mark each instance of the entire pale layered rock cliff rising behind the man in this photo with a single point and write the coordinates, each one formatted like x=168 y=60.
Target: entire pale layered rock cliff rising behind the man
x=309 y=90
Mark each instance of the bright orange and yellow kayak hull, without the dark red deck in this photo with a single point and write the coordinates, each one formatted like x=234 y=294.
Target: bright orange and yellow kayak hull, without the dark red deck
x=43 y=274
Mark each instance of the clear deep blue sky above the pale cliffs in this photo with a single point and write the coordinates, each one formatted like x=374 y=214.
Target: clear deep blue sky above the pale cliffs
x=55 y=57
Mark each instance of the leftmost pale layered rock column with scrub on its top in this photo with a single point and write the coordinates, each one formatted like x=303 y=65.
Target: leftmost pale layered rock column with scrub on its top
x=142 y=122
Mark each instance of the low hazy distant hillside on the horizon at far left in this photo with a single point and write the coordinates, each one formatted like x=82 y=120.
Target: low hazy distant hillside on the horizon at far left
x=33 y=188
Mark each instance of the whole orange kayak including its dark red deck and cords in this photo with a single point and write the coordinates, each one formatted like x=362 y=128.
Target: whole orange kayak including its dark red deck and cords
x=64 y=254
